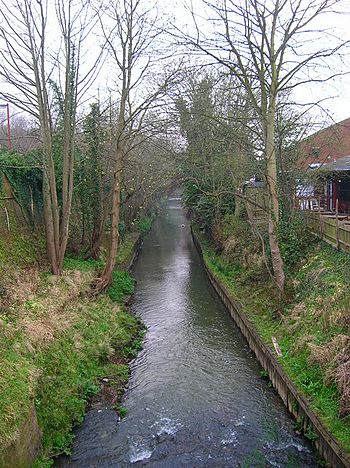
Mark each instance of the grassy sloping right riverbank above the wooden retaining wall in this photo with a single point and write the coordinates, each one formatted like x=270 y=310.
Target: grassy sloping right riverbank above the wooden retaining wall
x=311 y=328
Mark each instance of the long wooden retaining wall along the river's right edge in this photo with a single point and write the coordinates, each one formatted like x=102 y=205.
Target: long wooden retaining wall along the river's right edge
x=297 y=405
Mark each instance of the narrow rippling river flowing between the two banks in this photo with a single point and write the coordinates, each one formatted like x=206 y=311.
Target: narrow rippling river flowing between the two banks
x=196 y=397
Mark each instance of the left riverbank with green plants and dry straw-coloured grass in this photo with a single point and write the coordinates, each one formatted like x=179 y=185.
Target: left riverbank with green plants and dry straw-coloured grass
x=58 y=349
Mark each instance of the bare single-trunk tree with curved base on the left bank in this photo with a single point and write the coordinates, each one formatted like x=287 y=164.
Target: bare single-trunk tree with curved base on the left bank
x=131 y=41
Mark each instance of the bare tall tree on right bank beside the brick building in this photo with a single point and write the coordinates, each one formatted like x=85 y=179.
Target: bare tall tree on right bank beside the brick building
x=271 y=47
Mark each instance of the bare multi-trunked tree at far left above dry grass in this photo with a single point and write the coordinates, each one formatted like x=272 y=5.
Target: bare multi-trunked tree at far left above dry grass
x=30 y=62
